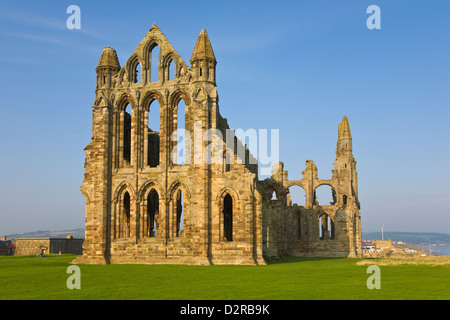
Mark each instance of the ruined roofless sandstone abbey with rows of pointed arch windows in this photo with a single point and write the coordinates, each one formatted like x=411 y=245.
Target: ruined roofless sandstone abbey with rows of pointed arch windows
x=147 y=204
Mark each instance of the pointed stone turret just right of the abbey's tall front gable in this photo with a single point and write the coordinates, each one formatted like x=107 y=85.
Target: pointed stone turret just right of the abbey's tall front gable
x=203 y=61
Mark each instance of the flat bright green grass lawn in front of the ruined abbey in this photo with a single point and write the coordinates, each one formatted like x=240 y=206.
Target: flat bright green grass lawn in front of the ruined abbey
x=32 y=277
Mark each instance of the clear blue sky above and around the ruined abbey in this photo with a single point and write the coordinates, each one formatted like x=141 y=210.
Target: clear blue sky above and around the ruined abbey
x=296 y=66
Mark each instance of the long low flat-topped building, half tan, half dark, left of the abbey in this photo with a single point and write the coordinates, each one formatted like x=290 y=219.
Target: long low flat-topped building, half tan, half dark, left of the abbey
x=68 y=245
